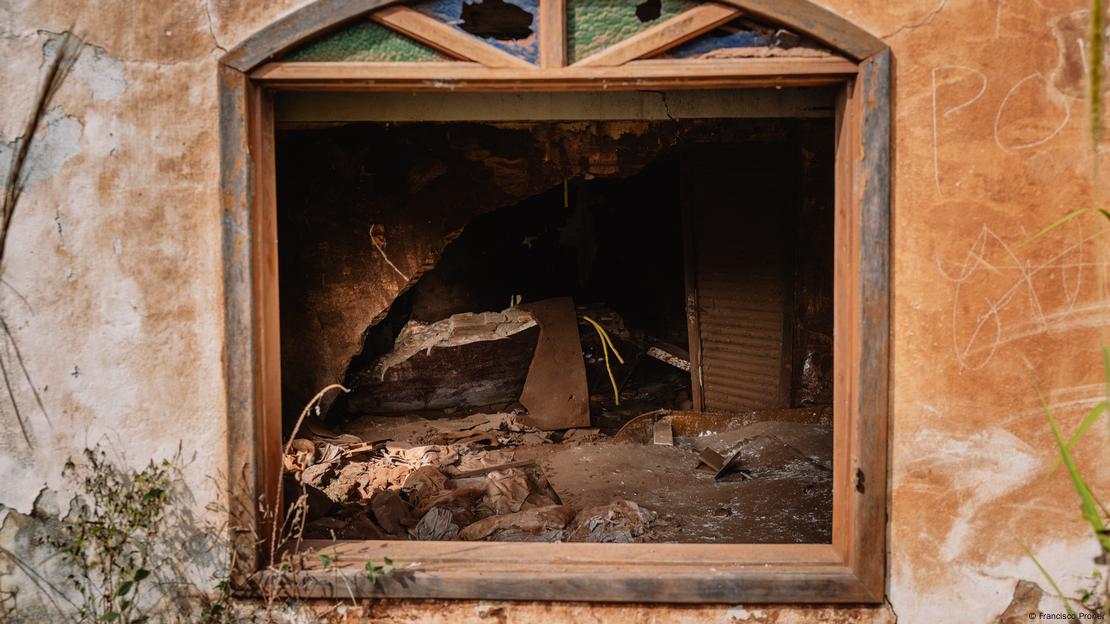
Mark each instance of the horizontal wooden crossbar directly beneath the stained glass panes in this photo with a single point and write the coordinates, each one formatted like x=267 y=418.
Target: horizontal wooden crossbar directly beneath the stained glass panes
x=632 y=76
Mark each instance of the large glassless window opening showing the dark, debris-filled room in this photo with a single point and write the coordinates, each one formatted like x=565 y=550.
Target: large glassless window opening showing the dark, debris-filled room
x=561 y=330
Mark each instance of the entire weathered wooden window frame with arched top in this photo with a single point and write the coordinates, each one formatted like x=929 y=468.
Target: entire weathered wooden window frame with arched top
x=850 y=570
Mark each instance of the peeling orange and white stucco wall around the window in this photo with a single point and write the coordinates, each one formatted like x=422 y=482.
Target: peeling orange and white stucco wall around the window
x=113 y=284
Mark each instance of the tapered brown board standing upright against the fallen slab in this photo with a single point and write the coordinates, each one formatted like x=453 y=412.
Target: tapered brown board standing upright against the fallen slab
x=556 y=392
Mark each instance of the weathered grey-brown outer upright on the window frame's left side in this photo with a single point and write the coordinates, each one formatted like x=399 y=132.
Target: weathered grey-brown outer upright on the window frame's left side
x=236 y=204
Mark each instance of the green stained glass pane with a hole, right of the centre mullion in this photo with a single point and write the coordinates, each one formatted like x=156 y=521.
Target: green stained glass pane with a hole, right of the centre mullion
x=596 y=25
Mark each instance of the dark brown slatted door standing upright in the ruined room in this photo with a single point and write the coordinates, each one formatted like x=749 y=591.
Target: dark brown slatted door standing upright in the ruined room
x=740 y=212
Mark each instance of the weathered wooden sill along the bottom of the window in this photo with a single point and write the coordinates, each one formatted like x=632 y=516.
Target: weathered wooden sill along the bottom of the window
x=663 y=573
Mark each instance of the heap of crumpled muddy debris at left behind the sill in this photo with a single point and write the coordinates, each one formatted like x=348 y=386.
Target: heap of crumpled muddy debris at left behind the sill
x=461 y=481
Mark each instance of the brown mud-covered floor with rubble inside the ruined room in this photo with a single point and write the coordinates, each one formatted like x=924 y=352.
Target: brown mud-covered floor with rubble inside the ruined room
x=486 y=477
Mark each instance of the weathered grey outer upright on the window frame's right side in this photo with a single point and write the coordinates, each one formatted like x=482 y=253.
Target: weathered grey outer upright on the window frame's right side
x=872 y=188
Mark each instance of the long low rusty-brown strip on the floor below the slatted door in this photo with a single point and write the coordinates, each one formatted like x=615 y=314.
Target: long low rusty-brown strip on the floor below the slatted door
x=690 y=425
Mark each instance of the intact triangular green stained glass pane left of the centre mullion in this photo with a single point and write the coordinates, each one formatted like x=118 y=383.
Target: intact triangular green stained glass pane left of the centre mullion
x=368 y=43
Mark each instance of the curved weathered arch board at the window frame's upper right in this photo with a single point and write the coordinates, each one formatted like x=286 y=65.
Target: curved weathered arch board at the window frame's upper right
x=822 y=25
